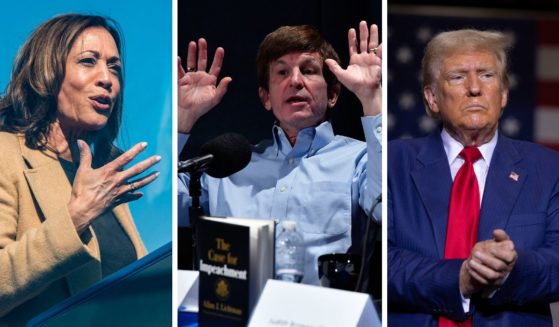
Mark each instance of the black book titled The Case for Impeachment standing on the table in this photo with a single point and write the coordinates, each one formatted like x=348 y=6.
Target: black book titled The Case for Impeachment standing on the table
x=236 y=257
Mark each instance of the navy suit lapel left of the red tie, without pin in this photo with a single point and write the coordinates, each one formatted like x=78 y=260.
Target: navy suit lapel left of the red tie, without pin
x=434 y=182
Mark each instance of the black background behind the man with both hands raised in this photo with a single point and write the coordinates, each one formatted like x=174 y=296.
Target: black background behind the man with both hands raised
x=239 y=27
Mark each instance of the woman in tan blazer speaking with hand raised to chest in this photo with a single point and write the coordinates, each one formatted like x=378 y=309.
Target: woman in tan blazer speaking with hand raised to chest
x=64 y=221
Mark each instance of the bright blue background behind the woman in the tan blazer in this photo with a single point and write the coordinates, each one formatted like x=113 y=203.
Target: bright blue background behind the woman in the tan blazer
x=146 y=26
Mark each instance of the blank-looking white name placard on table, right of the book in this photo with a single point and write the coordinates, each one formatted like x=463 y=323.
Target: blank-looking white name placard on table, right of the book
x=297 y=305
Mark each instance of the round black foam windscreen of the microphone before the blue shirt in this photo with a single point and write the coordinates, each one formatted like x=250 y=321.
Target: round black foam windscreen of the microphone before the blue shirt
x=231 y=153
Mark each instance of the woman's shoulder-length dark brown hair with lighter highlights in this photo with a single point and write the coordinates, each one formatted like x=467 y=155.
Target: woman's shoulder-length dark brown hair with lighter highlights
x=30 y=103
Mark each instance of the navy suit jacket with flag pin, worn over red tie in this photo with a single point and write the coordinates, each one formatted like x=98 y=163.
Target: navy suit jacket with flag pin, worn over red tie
x=421 y=284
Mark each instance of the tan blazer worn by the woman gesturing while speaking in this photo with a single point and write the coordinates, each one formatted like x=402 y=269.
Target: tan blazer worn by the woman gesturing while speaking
x=42 y=258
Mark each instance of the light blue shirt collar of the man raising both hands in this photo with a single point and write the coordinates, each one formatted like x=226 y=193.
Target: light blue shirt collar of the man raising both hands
x=309 y=140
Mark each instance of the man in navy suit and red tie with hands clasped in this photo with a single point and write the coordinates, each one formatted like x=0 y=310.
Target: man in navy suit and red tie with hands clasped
x=473 y=216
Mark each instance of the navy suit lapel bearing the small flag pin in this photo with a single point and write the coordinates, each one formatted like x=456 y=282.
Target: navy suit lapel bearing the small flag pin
x=505 y=179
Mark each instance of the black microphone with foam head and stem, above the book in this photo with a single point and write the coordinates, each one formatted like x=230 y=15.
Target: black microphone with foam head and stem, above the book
x=220 y=157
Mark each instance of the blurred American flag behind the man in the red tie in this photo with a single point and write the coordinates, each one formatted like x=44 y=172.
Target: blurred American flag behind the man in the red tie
x=532 y=112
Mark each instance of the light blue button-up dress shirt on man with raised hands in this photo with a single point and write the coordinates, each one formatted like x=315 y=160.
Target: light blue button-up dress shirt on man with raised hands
x=321 y=182
